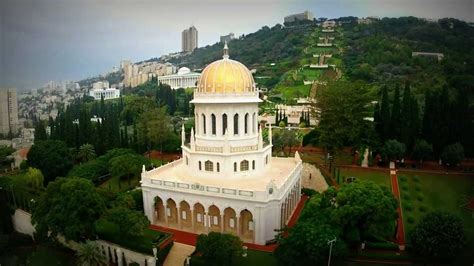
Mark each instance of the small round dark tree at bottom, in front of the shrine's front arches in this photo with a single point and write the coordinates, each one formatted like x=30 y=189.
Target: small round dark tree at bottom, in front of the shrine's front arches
x=219 y=249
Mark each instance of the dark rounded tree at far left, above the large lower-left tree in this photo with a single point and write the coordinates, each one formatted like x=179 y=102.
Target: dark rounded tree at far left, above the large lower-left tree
x=51 y=157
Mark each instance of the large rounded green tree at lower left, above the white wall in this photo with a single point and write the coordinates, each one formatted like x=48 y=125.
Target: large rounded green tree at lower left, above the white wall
x=70 y=207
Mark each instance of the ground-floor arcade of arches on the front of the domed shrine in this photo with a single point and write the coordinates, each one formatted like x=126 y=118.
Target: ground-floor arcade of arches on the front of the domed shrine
x=199 y=219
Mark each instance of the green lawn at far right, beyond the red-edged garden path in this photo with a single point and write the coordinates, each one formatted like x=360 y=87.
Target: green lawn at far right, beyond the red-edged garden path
x=421 y=193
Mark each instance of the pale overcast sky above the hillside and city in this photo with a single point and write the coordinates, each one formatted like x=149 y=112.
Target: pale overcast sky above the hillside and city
x=43 y=40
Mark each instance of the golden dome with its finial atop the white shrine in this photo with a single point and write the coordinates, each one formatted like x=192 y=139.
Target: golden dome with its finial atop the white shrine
x=226 y=76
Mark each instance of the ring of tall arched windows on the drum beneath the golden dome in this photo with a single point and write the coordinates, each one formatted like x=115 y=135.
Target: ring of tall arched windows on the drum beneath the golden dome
x=209 y=124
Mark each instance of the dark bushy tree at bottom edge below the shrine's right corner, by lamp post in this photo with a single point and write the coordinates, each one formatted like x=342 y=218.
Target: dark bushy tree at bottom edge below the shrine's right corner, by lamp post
x=307 y=244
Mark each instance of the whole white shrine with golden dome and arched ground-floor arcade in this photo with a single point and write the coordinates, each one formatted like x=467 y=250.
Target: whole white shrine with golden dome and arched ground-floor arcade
x=227 y=180
